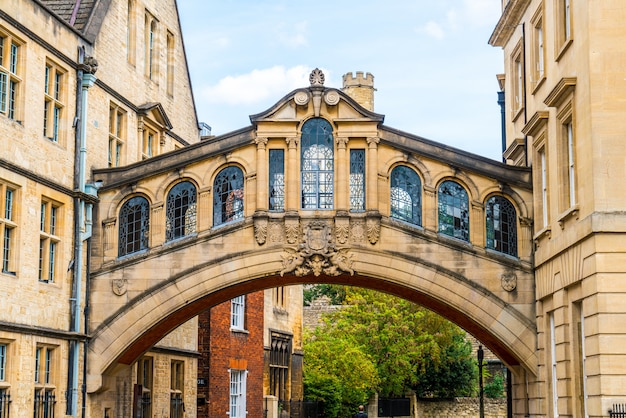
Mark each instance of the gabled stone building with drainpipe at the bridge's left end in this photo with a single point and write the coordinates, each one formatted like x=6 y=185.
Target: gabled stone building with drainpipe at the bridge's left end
x=82 y=85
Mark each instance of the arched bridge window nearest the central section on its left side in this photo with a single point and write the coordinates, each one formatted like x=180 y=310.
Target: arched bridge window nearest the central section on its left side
x=228 y=196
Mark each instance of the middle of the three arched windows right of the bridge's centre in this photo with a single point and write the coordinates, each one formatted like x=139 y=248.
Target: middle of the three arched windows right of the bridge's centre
x=453 y=210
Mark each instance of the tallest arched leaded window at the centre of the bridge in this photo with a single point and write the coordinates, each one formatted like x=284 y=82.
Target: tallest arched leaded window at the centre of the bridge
x=317 y=164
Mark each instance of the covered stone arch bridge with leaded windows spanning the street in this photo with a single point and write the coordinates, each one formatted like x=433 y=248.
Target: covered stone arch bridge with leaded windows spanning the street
x=316 y=190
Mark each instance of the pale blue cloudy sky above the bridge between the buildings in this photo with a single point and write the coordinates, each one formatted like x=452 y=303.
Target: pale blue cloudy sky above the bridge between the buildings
x=434 y=72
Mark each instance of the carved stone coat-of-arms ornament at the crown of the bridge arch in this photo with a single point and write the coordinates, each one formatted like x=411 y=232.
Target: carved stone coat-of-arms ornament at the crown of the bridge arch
x=317 y=254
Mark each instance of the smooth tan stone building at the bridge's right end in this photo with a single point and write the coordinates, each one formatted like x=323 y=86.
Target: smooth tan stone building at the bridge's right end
x=564 y=93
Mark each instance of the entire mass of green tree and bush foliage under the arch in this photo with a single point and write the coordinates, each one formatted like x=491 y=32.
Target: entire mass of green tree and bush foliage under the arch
x=385 y=344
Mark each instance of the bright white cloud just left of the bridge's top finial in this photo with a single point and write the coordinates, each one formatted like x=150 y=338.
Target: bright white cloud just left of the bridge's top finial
x=257 y=86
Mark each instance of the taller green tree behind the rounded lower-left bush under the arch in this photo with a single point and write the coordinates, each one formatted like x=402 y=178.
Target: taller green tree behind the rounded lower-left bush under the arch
x=405 y=342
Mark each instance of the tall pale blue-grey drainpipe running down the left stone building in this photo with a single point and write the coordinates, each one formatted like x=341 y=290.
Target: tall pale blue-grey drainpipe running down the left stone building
x=82 y=213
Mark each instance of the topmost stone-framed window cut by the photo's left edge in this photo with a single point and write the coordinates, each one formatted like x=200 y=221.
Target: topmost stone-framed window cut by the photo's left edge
x=10 y=77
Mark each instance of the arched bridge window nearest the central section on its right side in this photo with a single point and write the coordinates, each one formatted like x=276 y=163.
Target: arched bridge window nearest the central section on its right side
x=406 y=195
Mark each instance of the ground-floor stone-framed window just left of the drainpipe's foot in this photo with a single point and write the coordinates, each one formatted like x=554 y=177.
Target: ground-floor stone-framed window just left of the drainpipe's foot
x=45 y=398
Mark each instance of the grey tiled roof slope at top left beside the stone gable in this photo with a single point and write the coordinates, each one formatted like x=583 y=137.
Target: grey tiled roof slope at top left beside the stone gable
x=84 y=16
